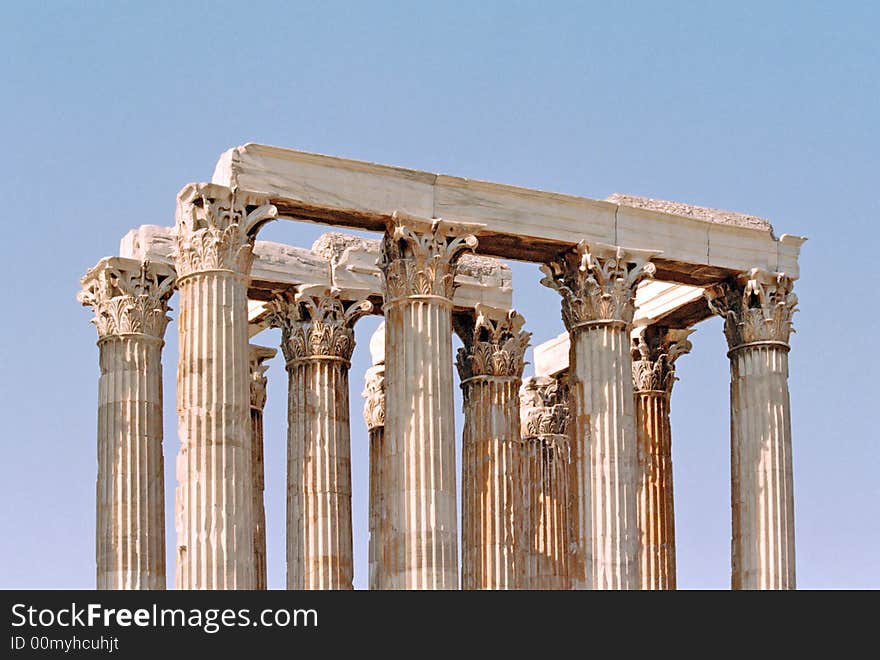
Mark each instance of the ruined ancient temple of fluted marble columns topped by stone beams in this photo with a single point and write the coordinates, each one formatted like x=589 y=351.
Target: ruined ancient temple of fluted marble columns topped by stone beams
x=566 y=474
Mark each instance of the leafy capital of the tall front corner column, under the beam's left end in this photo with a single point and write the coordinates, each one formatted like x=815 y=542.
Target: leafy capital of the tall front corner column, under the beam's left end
x=215 y=228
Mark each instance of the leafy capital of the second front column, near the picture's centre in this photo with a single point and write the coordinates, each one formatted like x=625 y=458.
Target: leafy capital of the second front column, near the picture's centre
x=419 y=258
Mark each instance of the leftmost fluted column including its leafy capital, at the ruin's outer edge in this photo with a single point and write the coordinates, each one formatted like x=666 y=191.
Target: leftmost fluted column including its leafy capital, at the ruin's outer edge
x=130 y=301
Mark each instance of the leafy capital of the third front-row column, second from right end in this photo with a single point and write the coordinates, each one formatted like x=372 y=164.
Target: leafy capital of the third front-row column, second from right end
x=597 y=282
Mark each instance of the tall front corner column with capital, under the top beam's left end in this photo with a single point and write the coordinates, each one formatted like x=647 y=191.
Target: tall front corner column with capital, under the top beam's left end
x=214 y=237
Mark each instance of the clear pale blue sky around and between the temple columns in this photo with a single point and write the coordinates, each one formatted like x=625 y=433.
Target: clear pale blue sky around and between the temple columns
x=766 y=108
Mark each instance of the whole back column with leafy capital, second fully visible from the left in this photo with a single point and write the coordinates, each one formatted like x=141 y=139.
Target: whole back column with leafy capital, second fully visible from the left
x=317 y=341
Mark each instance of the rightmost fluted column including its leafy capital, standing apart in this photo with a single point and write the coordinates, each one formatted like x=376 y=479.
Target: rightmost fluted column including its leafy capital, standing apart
x=757 y=314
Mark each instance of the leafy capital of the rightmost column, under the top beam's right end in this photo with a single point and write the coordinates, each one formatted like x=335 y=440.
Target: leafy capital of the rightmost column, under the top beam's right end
x=757 y=309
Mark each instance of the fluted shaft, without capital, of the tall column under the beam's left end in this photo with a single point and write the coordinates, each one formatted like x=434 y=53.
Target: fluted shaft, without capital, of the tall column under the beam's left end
x=215 y=492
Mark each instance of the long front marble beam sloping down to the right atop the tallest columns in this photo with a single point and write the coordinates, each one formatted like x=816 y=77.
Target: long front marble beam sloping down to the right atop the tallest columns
x=697 y=245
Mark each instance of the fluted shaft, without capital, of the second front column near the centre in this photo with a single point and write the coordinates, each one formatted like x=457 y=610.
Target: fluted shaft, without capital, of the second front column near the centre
x=420 y=445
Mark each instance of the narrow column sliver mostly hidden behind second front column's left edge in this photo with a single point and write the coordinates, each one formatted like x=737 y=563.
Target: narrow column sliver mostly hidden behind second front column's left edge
x=374 y=418
